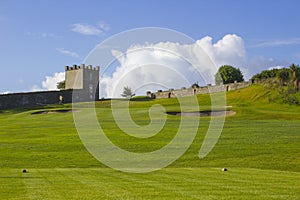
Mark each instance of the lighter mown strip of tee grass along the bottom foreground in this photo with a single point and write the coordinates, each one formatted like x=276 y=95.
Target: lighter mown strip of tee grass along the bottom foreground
x=169 y=183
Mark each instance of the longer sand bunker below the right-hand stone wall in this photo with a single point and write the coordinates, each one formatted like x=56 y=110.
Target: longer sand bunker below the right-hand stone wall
x=214 y=113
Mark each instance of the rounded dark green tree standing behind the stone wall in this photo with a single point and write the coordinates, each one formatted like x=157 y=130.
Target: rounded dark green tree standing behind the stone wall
x=228 y=74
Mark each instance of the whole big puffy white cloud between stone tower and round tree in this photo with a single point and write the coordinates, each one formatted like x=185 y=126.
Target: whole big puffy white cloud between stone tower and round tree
x=163 y=65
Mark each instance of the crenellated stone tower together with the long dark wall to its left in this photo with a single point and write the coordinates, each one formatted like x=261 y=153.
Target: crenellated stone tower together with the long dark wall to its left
x=81 y=85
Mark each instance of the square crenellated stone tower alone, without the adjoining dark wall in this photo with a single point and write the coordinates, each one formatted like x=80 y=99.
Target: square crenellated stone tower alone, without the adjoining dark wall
x=84 y=80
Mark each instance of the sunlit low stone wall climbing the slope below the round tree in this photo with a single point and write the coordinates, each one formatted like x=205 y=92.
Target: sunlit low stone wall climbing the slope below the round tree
x=198 y=90
